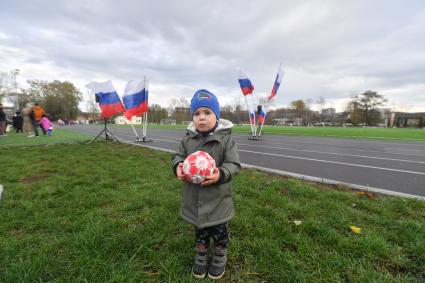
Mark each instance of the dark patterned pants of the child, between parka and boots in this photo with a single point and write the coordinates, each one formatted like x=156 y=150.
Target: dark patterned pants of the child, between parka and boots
x=218 y=233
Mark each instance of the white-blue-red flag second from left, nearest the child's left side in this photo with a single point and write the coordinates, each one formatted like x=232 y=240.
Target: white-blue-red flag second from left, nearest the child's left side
x=135 y=98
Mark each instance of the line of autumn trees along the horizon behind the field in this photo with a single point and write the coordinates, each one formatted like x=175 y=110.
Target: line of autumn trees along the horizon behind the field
x=61 y=99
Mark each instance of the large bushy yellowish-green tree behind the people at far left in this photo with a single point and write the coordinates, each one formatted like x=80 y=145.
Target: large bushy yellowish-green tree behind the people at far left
x=60 y=99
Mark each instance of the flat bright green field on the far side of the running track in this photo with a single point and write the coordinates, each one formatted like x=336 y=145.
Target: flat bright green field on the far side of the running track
x=413 y=134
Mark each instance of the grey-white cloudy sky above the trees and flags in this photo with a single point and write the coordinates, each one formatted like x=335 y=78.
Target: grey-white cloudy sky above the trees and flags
x=334 y=49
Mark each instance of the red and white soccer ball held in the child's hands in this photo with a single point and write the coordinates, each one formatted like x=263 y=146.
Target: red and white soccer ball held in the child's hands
x=198 y=166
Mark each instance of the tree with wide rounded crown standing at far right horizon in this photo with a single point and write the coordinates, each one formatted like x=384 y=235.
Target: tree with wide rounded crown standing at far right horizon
x=368 y=101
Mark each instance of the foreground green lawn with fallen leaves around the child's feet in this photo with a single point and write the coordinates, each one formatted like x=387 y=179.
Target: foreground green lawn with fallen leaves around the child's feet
x=108 y=212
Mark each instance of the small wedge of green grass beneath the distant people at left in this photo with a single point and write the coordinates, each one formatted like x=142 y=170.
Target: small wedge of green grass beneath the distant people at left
x=60 y=135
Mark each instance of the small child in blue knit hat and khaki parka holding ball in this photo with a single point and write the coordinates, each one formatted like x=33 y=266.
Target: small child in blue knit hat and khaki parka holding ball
x=208 y=205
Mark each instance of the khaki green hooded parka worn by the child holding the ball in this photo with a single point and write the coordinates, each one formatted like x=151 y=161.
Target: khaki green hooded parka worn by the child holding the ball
x=211 y=205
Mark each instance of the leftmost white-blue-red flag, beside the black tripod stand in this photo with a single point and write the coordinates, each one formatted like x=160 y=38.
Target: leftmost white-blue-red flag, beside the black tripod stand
x=109 y=101
